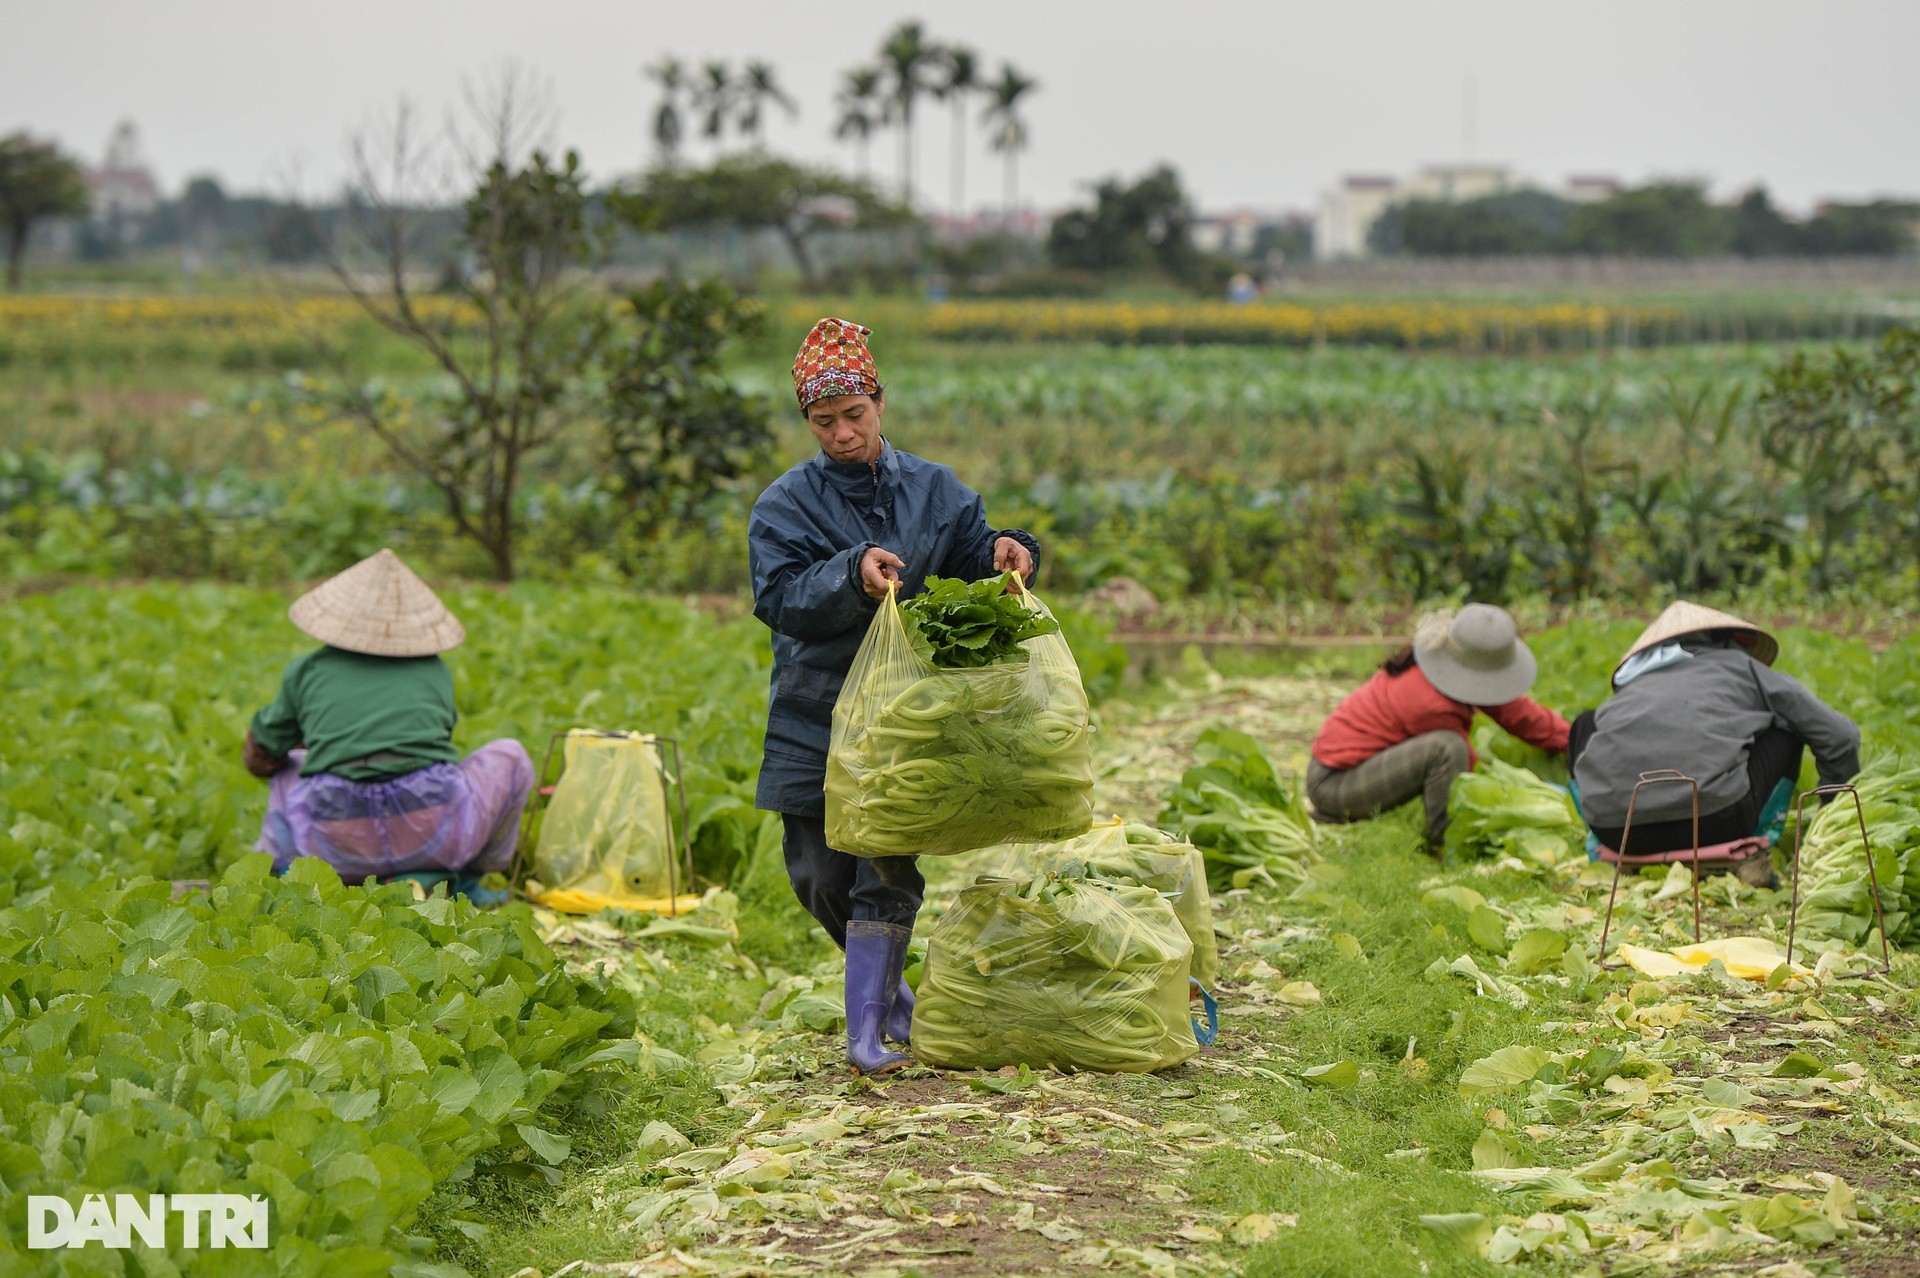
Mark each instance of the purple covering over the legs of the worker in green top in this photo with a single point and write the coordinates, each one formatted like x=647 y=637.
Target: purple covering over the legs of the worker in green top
x=443 y=818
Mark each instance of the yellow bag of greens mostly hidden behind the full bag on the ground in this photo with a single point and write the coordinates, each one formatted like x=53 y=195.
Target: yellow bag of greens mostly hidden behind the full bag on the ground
x=1134 y=853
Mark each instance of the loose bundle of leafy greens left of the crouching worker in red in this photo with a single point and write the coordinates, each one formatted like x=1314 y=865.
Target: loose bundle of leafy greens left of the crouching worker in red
x=1236 y=809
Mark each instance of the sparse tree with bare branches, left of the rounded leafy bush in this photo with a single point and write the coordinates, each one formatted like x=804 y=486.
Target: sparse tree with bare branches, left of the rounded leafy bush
x=502 y=352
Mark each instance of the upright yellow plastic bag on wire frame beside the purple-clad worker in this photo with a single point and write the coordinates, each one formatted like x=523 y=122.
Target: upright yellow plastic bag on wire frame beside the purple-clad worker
x=606 y=840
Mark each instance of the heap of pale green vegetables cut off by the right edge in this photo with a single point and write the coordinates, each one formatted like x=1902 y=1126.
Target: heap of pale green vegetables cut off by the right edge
x=1836 y=897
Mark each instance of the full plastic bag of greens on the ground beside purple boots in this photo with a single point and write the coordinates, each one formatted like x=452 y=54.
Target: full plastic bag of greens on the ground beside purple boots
x=1057 y=972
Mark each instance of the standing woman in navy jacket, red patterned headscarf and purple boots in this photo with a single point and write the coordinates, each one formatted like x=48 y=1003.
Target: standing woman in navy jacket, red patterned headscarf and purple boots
x=827 y=542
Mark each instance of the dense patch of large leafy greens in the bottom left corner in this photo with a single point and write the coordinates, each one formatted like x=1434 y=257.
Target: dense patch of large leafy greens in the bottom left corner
x=339 y=1051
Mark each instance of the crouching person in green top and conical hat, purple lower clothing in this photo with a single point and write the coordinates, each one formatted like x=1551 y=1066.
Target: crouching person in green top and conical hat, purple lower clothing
x=360 y=742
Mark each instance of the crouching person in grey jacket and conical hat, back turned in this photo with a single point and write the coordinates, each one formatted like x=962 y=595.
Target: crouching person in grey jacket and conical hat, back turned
x=1698 y=694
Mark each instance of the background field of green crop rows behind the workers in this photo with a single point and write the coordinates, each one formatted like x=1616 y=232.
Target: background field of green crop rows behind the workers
x=185 y=438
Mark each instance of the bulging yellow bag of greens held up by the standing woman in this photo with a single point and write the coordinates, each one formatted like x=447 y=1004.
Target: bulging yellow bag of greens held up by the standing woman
x=936 y=753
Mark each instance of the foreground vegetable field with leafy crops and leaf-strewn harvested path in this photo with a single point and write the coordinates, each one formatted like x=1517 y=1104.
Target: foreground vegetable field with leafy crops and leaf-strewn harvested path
x=1422 y=1070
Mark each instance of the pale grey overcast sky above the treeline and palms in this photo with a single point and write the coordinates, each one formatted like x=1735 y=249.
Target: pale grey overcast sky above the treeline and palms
x=1259 y=105
